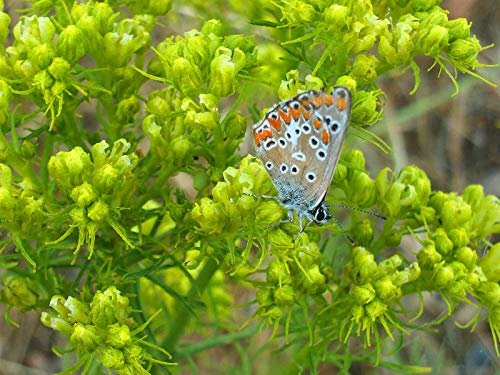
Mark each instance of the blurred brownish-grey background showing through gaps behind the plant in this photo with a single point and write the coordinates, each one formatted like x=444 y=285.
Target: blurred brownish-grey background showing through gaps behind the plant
x=455 y=140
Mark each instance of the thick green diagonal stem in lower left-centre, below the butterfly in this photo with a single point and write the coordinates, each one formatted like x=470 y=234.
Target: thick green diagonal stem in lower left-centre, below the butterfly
x=183 y=316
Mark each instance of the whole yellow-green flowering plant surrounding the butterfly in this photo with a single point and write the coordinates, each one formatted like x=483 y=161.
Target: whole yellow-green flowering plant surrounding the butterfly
x=153 y=260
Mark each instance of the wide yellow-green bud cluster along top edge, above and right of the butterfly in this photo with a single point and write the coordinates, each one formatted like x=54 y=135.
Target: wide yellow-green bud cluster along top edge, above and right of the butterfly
x=397 y=31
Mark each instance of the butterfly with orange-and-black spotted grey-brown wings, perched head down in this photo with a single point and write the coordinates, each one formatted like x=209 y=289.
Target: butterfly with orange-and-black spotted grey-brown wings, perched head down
x=299 y=142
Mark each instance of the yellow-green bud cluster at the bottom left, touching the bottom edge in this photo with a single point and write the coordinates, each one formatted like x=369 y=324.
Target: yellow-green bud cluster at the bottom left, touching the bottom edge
x=101 y=330
